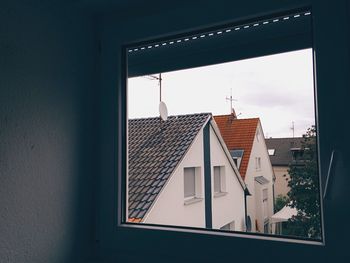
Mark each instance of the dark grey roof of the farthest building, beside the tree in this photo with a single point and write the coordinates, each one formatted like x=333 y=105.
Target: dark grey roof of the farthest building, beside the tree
x=283 y=149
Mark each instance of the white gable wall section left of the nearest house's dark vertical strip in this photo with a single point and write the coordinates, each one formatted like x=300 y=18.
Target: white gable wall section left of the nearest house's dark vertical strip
x=169 y=207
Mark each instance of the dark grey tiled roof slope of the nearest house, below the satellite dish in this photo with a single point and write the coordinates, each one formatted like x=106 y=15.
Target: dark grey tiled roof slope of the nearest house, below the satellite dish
x=155 y=149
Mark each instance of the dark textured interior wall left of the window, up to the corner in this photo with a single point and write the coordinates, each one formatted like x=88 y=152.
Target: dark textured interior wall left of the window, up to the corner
x=47 y=131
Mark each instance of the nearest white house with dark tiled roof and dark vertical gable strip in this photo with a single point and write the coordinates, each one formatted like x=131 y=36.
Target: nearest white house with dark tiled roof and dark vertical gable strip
x=172 y=163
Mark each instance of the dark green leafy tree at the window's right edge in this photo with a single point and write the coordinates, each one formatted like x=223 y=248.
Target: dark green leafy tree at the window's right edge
x=304 y=192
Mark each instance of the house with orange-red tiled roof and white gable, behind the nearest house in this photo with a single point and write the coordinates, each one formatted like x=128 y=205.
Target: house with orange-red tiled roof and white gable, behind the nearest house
x=245 y=140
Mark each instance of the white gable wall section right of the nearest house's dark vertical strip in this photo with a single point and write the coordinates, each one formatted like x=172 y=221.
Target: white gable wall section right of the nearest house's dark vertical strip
x=229 y=207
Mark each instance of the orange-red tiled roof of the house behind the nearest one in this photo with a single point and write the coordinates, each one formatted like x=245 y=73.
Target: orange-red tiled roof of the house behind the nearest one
x=238 y=134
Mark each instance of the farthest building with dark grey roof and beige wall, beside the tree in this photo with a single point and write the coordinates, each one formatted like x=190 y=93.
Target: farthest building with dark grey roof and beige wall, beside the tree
x=283 y=152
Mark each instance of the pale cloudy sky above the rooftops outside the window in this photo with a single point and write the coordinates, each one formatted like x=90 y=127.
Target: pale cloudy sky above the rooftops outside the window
x=278 y=89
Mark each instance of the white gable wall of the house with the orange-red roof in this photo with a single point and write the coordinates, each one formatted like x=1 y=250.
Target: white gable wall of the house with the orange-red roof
x=254 y=202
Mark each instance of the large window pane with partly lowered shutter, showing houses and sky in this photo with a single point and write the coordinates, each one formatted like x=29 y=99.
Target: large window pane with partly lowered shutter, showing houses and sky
x=189 y=111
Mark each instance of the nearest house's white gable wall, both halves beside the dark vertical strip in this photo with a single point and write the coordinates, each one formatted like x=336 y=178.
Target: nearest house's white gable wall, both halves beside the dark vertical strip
x=169 y=207
